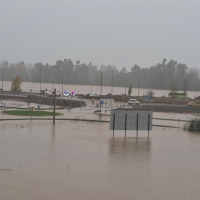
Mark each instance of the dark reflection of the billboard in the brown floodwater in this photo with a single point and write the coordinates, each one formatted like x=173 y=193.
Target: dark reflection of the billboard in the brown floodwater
x=132 y=150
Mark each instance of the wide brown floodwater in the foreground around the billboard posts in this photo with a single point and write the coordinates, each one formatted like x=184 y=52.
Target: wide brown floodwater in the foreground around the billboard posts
x=76 y=160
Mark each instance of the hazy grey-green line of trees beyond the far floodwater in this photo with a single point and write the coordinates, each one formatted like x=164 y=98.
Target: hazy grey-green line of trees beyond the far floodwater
x=160 y=76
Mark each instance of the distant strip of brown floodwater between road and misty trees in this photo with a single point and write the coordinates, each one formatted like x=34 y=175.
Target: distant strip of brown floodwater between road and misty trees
x=84 y=89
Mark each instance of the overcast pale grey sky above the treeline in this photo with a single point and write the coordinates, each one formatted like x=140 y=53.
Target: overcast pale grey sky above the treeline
x=119 y=32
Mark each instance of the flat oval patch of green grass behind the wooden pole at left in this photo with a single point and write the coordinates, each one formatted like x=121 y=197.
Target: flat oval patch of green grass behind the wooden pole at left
x=28 y=113
